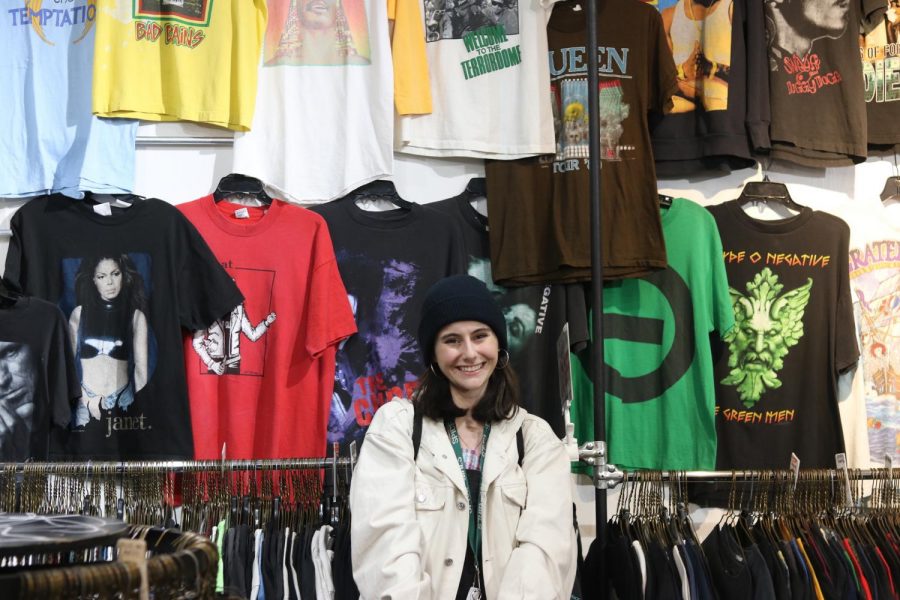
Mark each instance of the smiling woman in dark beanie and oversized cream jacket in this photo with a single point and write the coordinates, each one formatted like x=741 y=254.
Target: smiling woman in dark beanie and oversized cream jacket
x=459 y=517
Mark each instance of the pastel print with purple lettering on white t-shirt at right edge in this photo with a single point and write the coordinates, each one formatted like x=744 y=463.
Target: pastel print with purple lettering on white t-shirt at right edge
x=875 y=280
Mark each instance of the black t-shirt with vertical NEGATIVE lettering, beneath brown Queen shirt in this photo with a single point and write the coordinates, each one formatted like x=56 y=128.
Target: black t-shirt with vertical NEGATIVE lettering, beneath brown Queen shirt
x=535 y=316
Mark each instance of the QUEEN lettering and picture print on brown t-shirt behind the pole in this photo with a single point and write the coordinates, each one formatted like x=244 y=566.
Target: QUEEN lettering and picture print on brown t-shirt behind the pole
x=569 y=99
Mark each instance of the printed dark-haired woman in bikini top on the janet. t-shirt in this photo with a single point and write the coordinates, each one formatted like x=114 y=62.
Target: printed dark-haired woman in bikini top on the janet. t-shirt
x=109 y=332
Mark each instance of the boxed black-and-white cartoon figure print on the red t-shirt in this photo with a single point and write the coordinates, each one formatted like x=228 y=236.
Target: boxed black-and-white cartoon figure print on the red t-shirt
x=236 y=344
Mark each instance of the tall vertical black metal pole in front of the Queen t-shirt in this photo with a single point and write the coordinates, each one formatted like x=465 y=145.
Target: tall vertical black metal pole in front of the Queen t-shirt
x=597 y=355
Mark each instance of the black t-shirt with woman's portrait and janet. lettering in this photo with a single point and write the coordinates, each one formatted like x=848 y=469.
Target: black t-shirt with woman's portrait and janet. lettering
x=127 y=282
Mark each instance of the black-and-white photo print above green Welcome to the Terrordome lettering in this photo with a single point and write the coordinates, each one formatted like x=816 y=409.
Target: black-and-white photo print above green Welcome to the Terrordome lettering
x=469 y=19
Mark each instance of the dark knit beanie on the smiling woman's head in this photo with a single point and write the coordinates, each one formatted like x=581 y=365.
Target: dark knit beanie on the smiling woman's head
x=458 y=298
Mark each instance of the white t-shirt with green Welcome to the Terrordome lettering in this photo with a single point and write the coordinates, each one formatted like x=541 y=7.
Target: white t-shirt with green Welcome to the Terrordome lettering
x=487 y=60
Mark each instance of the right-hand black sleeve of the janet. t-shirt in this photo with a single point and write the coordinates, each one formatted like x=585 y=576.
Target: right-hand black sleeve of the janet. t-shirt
x=205 y=290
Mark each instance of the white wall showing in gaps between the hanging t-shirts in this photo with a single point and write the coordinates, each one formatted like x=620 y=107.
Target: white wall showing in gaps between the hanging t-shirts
x=179 y=173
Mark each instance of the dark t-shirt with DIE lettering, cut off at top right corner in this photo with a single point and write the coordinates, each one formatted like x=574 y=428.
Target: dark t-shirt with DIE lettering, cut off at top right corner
x=880 y=52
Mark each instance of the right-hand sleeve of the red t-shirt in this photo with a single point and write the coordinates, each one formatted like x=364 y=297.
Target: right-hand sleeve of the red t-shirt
x=329 y=316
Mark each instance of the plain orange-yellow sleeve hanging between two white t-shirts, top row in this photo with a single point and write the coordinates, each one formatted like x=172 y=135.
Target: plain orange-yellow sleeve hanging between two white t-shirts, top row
x=412 y=91
